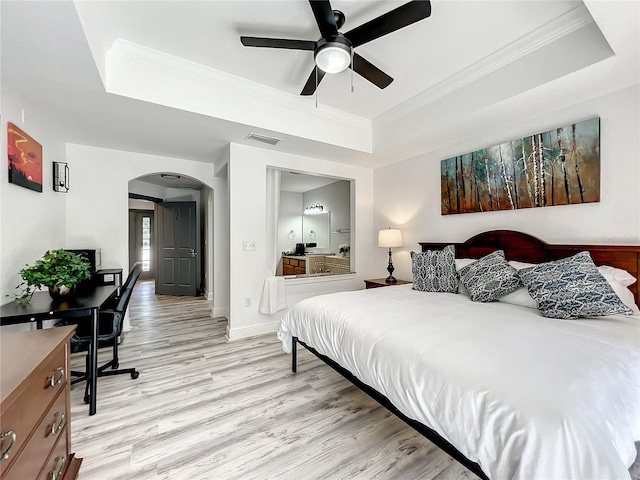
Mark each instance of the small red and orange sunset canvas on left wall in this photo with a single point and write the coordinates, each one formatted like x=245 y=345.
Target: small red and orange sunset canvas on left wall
x=25 y=159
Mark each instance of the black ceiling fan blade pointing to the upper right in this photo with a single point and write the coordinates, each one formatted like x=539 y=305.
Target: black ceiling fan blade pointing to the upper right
x=396 y=19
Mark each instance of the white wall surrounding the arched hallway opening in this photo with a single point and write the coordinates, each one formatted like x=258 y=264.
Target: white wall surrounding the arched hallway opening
x=97 y=205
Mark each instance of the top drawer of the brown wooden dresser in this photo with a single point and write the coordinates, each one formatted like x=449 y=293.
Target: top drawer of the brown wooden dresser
x=23 y=414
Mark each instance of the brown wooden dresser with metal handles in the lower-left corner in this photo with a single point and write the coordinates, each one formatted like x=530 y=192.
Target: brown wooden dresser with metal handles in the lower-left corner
x=35 y=414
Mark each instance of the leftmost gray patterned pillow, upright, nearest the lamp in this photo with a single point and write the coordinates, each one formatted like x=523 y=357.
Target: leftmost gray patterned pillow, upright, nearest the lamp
x=435 y=271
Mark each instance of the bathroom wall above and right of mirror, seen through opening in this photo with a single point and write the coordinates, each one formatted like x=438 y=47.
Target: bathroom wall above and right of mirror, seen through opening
x=335 y=198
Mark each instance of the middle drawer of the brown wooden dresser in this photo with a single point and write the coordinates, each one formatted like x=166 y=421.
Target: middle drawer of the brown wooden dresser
x=42 y=441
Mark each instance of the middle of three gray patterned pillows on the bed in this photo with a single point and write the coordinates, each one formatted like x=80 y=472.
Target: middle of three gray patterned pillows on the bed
x=490 y=277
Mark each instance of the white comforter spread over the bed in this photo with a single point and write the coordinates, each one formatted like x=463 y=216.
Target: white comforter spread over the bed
x=524 y=396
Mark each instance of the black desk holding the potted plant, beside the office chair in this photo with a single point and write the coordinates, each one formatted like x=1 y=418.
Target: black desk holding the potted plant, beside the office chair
x=43 y=307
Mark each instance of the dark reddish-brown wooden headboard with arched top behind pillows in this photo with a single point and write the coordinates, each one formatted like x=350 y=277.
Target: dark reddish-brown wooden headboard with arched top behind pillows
x=525 y=248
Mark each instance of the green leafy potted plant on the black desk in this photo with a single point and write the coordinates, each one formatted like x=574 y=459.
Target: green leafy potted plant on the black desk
x=59 y=270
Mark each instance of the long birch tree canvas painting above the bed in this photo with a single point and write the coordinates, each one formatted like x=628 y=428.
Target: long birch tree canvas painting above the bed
x=558 y=167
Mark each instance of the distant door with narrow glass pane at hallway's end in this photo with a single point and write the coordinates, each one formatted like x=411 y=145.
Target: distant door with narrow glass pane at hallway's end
x=142 y=244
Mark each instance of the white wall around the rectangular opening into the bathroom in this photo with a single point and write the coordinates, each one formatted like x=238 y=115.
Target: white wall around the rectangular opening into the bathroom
x=247 y=198
